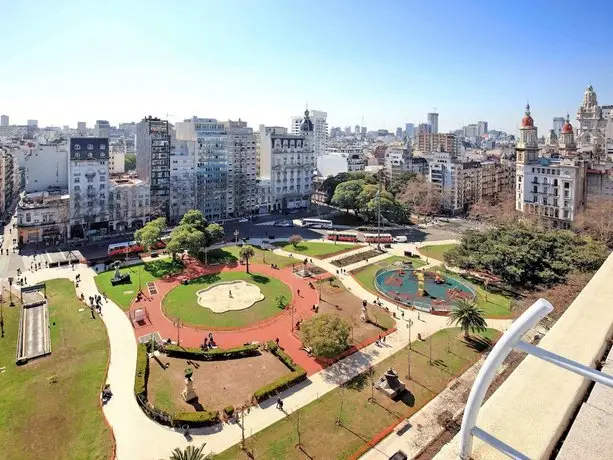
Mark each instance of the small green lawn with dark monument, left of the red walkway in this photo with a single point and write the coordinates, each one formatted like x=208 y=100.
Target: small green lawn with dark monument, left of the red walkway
x=124 y=294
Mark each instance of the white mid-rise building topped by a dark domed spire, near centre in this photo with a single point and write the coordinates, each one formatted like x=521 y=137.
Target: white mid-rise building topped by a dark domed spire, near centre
x=288 y=160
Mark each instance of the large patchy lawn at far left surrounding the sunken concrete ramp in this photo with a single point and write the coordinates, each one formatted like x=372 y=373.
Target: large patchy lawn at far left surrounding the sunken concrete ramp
x=59 y=417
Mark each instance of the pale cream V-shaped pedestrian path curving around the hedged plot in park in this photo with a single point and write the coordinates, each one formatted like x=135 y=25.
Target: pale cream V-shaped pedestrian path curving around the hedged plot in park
x=138 y=438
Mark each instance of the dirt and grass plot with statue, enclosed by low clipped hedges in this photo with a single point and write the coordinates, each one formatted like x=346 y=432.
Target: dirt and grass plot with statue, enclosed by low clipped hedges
x=217 y=383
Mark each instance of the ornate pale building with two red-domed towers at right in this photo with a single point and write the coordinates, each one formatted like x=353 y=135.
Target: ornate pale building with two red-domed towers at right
x=551 y=188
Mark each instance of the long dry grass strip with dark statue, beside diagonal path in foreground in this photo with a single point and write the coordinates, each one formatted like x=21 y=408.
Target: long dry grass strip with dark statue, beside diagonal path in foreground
x=361 y=420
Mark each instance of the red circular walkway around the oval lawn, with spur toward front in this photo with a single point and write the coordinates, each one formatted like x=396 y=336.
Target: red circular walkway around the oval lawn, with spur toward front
x=269 y=329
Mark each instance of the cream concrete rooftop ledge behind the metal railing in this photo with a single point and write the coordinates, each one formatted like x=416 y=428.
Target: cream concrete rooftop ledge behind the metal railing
x=533 y=407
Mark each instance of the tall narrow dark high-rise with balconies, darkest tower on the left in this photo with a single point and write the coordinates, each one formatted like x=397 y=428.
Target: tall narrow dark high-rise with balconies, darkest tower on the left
x=153 y=146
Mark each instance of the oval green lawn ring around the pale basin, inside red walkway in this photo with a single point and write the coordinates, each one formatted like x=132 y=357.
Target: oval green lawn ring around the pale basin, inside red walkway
x=182 y=301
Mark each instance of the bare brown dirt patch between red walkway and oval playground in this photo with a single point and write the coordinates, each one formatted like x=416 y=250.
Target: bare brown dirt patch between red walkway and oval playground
x=337 y=300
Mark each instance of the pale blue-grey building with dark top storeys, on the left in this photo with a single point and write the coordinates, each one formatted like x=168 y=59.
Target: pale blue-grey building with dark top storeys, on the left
x=88 y=180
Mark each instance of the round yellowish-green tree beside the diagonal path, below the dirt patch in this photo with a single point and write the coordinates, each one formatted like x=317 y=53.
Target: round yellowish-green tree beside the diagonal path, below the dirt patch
x=326 y=335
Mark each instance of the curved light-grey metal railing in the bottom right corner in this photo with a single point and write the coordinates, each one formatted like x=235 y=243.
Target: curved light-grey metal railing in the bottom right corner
x=510 y=340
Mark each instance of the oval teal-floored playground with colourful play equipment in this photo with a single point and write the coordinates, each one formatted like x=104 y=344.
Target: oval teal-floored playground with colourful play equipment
x=423 y=289
